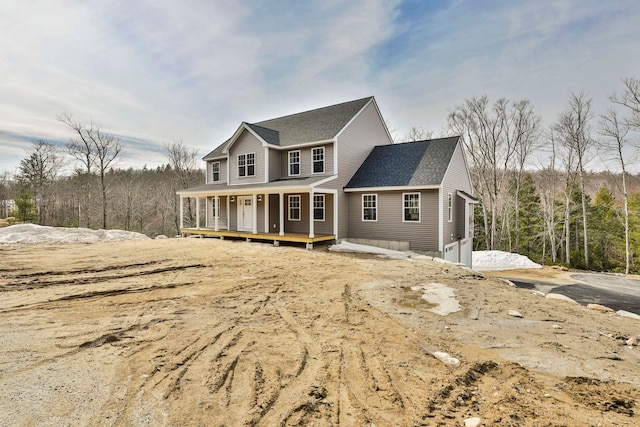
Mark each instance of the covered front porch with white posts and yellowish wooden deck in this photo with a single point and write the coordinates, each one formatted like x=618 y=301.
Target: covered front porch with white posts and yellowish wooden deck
x=305 y=215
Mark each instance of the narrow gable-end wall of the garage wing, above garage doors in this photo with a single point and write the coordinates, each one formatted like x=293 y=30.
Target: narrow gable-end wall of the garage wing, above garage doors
x=456 y=178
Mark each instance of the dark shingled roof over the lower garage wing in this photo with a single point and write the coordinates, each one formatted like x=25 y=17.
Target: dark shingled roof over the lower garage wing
x=407 y=164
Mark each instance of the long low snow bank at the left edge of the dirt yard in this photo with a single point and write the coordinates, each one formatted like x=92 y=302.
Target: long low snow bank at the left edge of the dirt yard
x=32 y=233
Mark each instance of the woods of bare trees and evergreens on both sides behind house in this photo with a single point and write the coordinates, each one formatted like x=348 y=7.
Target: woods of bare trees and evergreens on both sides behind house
x=562 y=193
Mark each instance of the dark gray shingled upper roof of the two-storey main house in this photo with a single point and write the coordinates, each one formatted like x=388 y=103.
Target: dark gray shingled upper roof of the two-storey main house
x=315 y=125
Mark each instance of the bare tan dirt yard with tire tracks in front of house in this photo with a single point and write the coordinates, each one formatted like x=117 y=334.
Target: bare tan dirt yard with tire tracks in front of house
x=203 y=332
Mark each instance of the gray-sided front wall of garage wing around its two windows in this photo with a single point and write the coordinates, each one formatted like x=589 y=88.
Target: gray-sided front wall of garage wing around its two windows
x=421 y=235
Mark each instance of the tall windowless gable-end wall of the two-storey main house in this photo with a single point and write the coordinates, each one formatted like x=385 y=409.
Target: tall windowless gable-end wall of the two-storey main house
x=352 y=148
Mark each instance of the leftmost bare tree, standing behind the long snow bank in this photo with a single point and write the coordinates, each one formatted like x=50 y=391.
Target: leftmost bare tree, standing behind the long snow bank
x=38 y=170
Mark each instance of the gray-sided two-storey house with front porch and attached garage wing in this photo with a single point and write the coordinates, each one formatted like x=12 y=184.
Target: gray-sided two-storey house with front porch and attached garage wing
x=333 y=173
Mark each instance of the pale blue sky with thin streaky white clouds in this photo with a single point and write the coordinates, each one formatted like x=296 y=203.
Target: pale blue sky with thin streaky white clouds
x=158 y=71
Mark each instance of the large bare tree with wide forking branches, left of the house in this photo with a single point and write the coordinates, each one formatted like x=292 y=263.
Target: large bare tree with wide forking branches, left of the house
x=93 y=147
